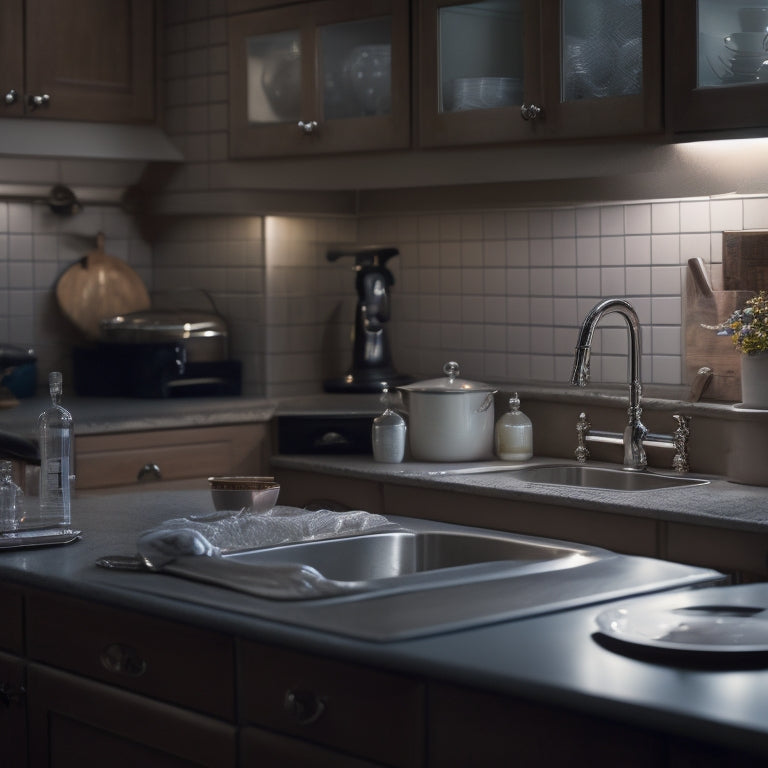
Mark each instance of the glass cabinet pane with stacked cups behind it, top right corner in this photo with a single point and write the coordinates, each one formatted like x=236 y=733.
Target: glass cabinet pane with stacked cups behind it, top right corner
x=731 y=38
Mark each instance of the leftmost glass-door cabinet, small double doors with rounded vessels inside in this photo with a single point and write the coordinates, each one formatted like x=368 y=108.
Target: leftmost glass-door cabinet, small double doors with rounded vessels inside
x=320 y=77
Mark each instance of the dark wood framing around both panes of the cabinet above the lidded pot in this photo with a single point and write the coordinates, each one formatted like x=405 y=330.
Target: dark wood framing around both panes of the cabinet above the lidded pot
x=541 y=67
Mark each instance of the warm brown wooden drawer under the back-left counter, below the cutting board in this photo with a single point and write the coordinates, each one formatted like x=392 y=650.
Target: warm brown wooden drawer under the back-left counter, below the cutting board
x=105 y=461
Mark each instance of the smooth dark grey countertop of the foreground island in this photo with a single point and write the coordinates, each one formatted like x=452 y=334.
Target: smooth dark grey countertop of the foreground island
x=552 y=658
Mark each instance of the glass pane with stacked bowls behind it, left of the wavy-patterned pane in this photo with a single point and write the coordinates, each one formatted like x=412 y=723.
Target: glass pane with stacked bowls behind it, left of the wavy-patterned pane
x=481 y=55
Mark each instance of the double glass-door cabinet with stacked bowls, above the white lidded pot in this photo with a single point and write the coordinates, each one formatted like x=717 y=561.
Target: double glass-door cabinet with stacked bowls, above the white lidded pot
x=498 y=71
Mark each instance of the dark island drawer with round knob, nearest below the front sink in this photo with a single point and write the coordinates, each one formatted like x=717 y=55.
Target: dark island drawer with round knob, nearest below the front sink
x=361 y=711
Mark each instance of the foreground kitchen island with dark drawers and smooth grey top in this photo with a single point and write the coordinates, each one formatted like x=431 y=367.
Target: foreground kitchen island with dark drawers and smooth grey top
x=147 y=666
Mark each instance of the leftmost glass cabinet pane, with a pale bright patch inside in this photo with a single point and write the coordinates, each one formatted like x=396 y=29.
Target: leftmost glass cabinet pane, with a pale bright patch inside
x=274 y=78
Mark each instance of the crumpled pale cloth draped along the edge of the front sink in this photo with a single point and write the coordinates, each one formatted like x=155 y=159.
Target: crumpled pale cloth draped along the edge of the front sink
x=220 y=533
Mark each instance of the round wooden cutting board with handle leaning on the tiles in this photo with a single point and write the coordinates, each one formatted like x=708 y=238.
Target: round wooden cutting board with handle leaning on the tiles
x=99 y=286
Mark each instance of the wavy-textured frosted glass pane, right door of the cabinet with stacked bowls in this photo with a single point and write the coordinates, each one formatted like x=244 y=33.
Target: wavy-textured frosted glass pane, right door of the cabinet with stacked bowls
x=601 y=48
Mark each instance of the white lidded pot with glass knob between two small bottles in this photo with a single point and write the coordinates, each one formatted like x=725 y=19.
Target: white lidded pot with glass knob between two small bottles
x=449 y=419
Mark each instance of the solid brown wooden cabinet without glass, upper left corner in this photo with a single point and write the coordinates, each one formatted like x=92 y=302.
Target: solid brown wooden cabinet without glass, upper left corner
x=78 y=59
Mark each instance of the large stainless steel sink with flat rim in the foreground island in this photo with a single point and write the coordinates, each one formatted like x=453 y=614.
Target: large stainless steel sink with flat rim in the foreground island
x=423 y=577
